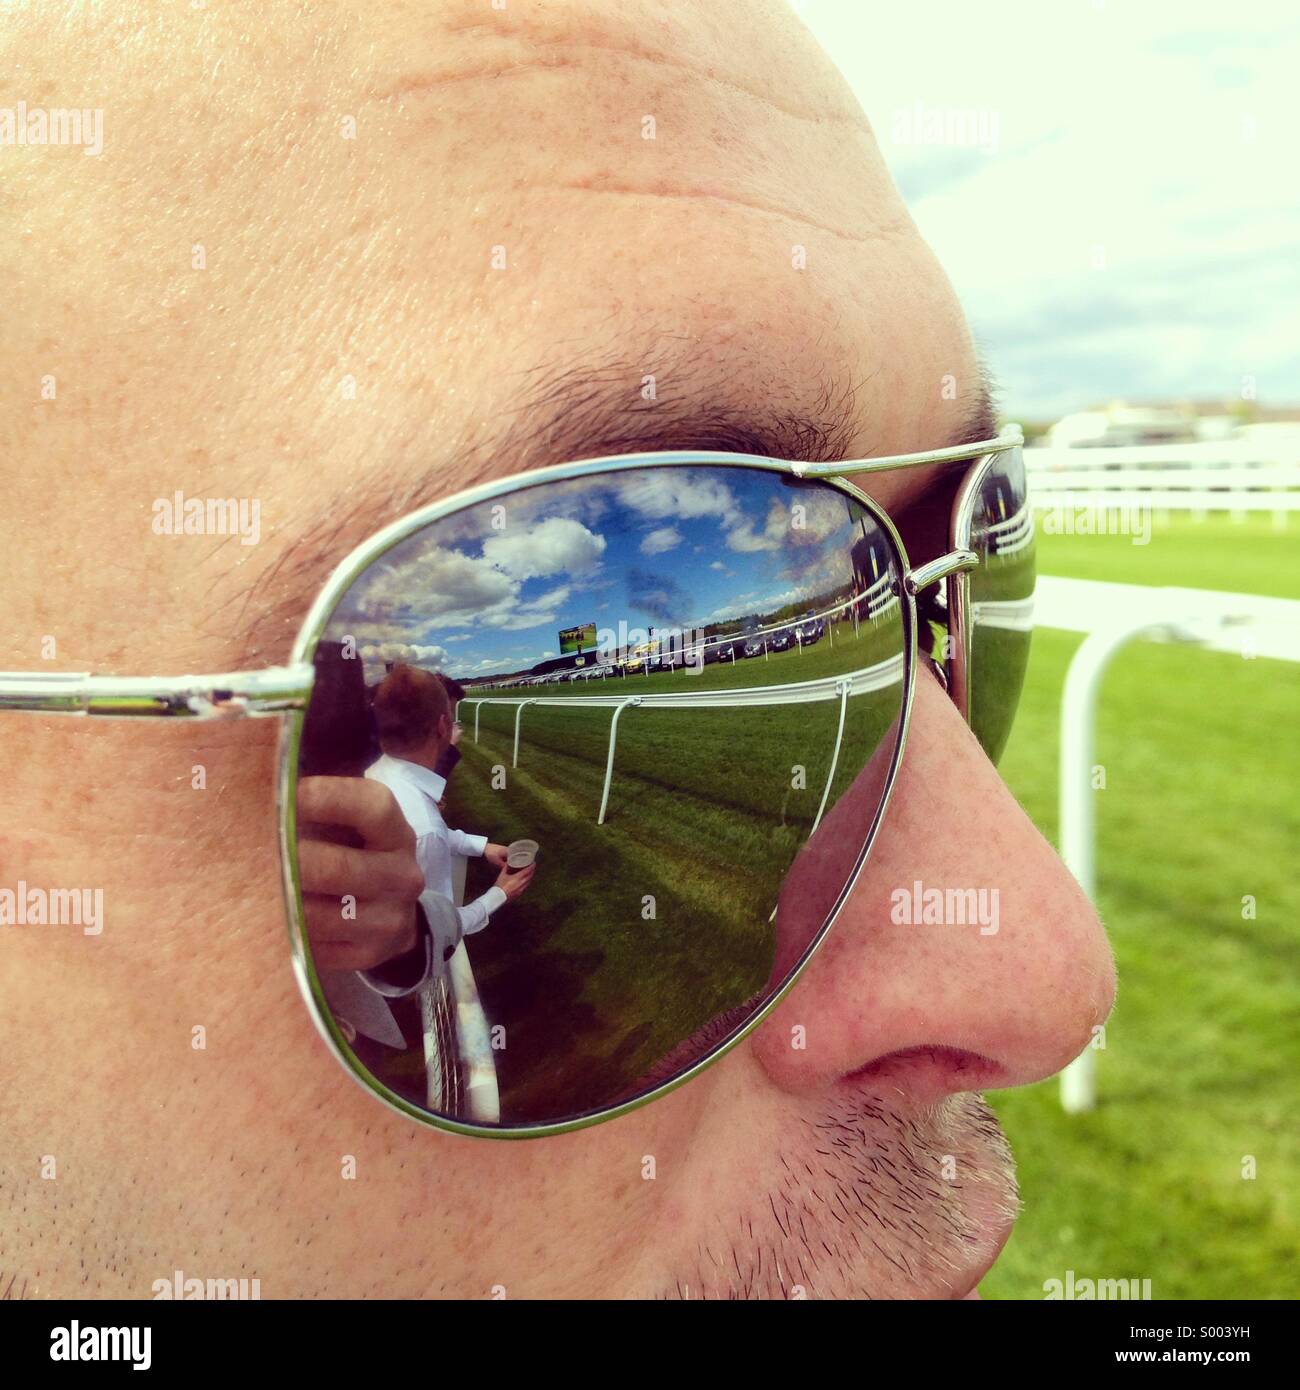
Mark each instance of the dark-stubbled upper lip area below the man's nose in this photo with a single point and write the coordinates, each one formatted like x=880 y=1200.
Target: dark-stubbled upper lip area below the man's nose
x=864 y=1199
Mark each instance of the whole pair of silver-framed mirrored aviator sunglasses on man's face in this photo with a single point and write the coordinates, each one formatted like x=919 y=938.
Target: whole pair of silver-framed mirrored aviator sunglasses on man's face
x=685 y=685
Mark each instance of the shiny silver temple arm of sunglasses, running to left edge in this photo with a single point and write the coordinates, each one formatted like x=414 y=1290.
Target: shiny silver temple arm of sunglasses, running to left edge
x=277 y=690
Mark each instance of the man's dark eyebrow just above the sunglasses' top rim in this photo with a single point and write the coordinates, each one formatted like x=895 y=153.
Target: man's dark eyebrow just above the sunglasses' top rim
x=569 y=412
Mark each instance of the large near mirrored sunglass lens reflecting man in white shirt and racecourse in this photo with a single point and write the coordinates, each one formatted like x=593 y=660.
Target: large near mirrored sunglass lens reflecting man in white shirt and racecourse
x=667 y=680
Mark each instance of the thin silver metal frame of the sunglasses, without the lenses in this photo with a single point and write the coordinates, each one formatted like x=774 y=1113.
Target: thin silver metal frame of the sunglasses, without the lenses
x=287 y=690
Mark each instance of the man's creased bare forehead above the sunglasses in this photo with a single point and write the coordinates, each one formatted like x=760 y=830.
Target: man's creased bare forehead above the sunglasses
x=333 y=263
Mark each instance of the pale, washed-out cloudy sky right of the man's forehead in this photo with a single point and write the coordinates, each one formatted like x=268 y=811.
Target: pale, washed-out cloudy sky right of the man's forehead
x=1128 y=226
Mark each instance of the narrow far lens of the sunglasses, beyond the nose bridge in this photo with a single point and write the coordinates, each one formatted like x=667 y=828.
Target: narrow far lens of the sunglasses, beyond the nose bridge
x=1002 y=600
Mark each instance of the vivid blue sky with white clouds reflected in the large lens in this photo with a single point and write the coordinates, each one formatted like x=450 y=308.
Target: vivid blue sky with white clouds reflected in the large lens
x=665 y=548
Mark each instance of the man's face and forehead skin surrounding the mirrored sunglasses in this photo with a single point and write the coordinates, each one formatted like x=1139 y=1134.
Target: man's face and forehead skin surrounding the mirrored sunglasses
x=336 y=259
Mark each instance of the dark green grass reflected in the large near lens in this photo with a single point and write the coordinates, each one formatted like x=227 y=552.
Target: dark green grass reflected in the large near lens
x=707 y=811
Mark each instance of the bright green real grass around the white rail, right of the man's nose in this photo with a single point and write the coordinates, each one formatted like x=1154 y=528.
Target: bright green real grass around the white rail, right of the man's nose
x=1203 y=1053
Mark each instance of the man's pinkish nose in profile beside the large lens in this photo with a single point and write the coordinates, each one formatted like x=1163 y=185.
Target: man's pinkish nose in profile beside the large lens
x=966 y=958
